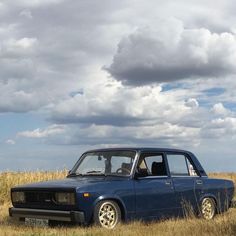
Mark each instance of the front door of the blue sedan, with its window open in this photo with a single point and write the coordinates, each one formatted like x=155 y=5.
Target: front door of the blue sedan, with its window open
x=155 y=196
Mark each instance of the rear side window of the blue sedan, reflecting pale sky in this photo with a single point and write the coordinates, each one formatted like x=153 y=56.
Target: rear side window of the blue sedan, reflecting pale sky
x=179 y=165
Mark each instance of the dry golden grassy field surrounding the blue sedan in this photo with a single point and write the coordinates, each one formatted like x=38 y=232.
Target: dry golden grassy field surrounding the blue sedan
x=224 y=224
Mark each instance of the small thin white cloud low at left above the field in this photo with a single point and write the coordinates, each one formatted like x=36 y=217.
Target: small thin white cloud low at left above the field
x=43 y=133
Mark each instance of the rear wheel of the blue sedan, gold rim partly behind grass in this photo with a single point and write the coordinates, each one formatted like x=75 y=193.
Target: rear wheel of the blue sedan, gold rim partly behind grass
x=208 y=208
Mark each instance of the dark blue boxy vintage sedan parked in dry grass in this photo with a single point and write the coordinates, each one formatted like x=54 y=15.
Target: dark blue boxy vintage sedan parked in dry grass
x=107 y=186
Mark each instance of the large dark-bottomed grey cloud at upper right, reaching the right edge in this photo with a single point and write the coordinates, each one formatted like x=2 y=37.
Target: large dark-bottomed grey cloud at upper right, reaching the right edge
x=151 y=56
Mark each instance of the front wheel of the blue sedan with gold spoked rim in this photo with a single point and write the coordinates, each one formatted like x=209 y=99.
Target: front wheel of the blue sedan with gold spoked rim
x=107 y=214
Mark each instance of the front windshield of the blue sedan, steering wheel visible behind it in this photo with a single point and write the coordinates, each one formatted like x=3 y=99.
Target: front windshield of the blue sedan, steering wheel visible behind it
x=105 y=163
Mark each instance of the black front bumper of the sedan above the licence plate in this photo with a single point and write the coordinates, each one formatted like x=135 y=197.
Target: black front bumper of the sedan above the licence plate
x=66 y=216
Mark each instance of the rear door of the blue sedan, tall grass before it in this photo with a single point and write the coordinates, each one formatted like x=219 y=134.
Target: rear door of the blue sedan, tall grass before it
x=185 y=181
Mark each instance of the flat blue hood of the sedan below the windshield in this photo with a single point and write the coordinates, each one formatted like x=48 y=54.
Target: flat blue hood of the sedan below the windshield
x=68 y=183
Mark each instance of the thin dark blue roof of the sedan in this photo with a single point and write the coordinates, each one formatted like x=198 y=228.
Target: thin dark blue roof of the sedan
x=139 y=149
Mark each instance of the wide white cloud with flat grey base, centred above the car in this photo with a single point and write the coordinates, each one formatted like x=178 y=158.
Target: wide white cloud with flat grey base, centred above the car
x=117 y=105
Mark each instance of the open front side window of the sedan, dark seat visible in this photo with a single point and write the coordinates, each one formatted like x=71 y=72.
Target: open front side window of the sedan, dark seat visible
x=152 y=165
